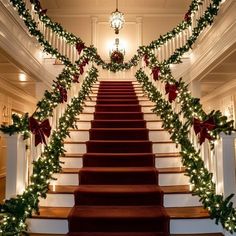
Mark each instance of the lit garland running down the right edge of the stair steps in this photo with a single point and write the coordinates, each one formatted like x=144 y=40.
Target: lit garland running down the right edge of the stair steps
x=219 y=208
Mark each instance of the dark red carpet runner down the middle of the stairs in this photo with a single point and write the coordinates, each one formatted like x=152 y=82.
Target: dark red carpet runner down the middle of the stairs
x=118 y=192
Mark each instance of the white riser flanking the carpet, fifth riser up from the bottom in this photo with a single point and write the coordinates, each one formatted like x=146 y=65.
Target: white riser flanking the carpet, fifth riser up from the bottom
x=74 y=148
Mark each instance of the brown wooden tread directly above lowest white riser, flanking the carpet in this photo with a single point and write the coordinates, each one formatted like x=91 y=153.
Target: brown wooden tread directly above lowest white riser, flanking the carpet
x=194 y=212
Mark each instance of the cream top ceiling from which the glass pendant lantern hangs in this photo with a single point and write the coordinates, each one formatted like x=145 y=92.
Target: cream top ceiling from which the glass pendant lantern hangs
x=71 y=7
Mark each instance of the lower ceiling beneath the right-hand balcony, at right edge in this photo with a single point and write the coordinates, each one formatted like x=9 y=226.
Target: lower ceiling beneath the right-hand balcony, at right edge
x=221 y=75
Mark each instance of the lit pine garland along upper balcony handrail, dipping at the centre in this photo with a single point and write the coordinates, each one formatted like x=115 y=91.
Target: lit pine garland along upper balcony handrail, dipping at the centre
x=72 y=39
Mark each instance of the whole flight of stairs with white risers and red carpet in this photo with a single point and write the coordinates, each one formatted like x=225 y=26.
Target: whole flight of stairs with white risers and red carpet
x=121 y=174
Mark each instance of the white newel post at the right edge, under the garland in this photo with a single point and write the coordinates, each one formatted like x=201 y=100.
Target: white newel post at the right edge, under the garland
x=226 y=165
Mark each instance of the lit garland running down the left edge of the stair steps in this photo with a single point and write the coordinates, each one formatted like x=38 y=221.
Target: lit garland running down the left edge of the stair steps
x=15 y=210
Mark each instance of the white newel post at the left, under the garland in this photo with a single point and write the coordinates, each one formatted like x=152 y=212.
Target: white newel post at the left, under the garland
x=16 y=165
